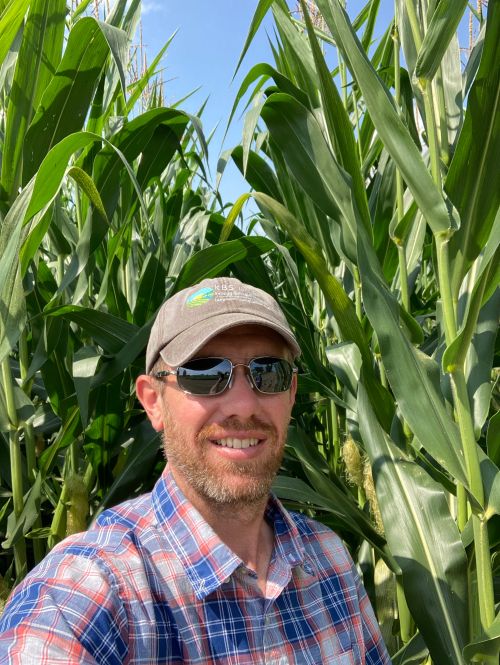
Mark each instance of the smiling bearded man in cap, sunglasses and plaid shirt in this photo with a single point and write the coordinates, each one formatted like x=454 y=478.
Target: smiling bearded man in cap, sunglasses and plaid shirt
x=209 y=567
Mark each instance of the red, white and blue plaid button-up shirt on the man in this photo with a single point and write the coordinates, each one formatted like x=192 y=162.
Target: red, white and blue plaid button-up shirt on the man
x=152 y=583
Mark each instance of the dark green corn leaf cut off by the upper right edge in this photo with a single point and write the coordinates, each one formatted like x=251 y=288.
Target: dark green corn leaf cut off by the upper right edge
x=475 y=168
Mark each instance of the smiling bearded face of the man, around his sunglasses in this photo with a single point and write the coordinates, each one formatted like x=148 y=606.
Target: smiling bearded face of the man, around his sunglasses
x=226 y=449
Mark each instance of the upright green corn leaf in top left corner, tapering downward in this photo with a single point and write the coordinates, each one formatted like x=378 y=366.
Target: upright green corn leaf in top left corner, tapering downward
x=38 y=57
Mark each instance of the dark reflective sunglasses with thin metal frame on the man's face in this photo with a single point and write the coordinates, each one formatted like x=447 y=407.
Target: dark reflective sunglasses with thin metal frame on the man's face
x=212 y=376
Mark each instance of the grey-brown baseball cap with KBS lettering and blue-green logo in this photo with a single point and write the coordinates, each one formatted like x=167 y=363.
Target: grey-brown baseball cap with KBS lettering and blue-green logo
x=191 y=317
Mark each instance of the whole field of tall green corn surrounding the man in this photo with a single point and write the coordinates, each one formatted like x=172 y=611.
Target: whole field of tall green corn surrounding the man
x=374 y=180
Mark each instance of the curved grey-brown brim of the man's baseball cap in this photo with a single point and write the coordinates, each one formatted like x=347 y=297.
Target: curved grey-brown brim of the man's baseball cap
x=189 y=342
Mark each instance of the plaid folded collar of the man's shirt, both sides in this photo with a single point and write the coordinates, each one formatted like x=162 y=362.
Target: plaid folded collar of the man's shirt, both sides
x=208 y=561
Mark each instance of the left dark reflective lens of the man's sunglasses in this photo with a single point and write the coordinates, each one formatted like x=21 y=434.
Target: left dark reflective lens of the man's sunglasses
x=204 y=376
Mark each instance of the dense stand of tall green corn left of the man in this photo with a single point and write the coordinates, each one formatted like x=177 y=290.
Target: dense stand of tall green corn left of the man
x=101 y=209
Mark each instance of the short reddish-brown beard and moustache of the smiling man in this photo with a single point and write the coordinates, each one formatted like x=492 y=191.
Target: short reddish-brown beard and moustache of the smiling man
x=224 y=482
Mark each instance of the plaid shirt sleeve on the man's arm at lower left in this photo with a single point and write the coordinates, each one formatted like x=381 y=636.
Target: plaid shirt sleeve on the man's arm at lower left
x=67 y=610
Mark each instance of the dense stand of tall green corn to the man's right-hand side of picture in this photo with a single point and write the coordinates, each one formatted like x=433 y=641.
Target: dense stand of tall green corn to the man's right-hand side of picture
x=375 y=168
